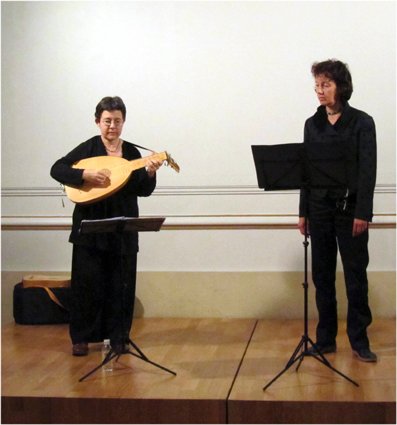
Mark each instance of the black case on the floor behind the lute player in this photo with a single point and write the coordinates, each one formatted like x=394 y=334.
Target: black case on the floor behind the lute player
x=40 y=305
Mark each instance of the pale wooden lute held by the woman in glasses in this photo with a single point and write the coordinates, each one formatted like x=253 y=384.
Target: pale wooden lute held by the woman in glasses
x=119 y=171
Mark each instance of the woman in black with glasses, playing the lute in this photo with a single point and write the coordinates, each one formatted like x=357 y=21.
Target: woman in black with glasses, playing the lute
x=97 y=308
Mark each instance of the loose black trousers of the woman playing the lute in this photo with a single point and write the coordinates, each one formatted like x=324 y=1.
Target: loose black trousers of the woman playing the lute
x=103 y=294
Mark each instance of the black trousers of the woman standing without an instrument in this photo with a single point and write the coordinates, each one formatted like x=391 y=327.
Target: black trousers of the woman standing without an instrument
x=330 y=228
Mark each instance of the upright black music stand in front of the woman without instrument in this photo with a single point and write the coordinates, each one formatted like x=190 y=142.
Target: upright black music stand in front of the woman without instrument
x=302 y=166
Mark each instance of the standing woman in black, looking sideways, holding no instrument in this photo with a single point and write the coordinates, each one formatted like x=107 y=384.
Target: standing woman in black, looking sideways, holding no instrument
x=338 y=218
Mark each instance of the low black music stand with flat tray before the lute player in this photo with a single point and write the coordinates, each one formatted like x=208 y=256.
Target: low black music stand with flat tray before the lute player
x=119 y=225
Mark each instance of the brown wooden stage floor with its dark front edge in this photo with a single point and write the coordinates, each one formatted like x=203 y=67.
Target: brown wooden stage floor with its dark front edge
x=222 y=366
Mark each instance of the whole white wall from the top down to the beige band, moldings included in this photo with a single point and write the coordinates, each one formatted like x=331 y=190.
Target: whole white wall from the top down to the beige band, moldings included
x=202 y=80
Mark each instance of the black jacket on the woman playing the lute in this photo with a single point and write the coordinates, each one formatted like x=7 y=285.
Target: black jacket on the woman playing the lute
x=122 y=203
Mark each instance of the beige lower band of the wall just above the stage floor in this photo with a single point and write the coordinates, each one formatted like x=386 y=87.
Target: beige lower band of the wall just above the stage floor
x=230 y=294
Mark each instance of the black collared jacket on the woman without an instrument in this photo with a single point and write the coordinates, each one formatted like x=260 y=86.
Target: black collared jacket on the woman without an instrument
x=356 y=131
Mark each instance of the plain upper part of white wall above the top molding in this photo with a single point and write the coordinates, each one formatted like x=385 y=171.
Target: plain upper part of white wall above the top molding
x=203 y=80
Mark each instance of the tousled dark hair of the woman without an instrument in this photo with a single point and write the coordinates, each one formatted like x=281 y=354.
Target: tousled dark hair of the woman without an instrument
x=338 y=72
